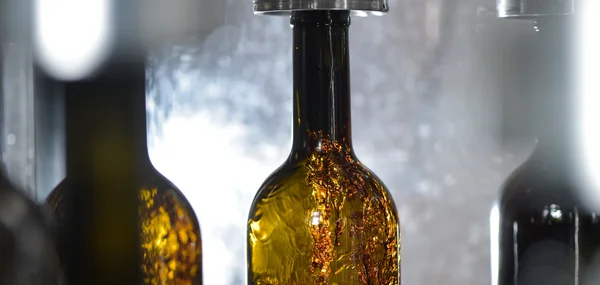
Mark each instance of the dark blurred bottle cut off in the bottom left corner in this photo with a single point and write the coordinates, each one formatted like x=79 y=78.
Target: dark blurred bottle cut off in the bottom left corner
x=27 y=253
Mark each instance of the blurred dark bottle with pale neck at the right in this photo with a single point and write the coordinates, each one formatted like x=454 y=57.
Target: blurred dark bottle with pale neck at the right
x=546 y=233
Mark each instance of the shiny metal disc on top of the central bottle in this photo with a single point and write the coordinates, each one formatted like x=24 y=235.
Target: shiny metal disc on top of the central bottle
x=361 y=8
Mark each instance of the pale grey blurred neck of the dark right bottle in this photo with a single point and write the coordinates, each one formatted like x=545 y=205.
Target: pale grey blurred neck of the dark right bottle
x=553 y=87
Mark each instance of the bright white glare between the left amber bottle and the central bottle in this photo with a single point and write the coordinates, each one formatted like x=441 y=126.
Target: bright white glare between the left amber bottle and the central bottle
x=197 y=151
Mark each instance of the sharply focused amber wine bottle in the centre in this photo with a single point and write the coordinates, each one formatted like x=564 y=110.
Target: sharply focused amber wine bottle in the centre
x=322 y=217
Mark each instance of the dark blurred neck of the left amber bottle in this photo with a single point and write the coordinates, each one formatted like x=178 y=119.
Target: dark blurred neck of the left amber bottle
x=106 y=117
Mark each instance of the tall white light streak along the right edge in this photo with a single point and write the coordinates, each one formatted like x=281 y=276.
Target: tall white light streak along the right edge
x=588 y=59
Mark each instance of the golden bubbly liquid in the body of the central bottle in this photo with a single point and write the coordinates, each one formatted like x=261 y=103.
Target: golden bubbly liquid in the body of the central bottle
x=326 y=219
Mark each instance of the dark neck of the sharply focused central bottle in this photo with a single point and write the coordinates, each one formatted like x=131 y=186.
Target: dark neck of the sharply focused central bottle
x=321 y=80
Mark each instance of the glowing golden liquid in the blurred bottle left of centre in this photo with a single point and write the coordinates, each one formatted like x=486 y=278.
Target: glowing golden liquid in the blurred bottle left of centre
x=169 y=232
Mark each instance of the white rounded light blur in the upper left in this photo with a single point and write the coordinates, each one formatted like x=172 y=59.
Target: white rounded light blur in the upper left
x=72 y=37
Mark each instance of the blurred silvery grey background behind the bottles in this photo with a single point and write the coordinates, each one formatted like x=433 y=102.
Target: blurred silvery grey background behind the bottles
x=439 y=104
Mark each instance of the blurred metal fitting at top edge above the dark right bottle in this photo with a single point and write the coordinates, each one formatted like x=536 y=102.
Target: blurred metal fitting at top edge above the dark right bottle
x=530 y=9
